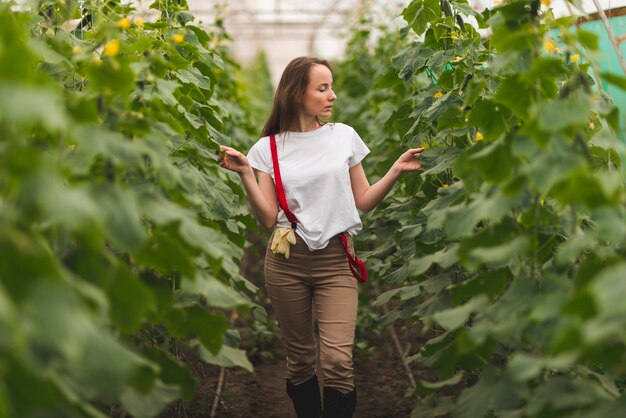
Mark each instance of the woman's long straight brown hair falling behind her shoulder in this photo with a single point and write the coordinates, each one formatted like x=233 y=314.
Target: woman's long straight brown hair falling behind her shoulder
x=287 y=103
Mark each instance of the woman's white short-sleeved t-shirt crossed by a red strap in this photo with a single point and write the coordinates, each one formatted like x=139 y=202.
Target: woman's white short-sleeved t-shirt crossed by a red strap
x=314 y=168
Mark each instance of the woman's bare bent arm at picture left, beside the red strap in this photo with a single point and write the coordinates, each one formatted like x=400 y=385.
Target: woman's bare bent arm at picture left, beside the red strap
x=258 y=185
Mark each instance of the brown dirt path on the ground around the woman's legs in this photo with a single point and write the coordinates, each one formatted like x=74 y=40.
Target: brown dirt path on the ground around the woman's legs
x=380 y=379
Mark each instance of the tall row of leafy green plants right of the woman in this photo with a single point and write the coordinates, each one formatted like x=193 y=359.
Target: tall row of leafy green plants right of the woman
x=509 y=248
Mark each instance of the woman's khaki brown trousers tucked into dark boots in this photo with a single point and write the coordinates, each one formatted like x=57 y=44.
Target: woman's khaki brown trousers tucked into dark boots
x=319 y=280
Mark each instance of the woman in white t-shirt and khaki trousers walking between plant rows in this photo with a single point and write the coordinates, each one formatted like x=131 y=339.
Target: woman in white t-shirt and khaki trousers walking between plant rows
x=325 y=187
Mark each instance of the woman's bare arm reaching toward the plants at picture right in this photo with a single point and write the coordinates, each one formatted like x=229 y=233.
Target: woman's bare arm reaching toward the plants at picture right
x=368 y=197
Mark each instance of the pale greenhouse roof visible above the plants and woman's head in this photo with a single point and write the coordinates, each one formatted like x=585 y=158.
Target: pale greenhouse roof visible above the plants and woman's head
x=285 y=29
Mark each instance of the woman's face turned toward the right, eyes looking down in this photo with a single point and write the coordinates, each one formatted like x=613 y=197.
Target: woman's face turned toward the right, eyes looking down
x=319 y=96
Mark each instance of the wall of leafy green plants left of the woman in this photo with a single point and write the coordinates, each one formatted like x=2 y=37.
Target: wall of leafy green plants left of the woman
x=118 y=233
